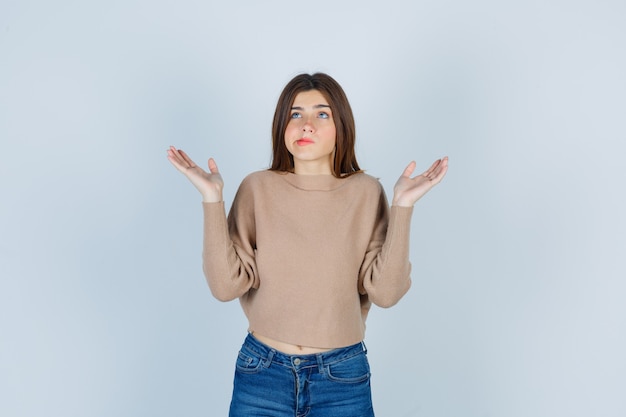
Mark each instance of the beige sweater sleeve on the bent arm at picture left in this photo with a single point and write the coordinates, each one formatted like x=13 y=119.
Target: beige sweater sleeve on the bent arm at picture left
x=228 y=253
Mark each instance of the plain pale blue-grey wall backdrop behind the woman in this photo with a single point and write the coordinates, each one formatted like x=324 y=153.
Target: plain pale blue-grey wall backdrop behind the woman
x=517 y=306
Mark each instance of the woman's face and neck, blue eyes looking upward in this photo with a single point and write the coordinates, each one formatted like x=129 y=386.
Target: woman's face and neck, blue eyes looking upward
x=310 y=135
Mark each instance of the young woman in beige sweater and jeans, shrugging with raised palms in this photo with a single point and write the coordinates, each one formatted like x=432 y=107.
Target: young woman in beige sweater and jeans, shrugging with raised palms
x=307 y=246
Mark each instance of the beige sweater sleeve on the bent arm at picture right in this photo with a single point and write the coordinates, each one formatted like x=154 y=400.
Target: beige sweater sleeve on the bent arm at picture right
x=385 y=272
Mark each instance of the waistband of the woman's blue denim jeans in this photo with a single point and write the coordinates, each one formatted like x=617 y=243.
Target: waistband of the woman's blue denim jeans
x=270 y=354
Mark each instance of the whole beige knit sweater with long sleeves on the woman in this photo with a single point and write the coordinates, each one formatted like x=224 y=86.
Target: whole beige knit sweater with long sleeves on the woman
x=307 y=255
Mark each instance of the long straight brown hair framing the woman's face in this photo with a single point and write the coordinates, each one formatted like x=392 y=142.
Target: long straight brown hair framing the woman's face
x=345 y=163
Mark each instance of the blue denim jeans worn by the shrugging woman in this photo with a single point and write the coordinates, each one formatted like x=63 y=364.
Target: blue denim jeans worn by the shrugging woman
x=328 y=384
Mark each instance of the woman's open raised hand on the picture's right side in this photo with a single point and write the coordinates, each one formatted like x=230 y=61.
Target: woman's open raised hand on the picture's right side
x=408 y=190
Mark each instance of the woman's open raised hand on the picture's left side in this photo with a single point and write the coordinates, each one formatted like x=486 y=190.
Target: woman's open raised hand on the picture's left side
x=210 y=184
